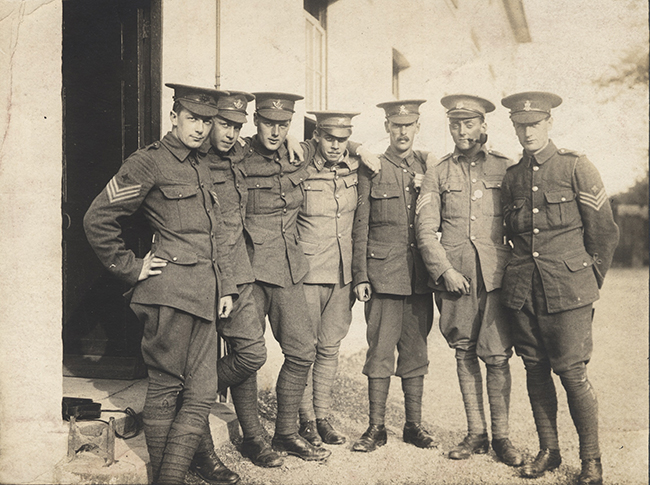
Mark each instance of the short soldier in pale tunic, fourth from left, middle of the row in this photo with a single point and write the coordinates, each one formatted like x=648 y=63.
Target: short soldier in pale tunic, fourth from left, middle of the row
x=325 y=230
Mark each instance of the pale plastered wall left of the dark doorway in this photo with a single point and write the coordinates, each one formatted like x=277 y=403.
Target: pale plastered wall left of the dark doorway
x=32 y=436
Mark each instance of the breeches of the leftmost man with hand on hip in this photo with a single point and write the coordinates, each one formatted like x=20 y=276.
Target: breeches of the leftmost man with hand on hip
x=180 y=351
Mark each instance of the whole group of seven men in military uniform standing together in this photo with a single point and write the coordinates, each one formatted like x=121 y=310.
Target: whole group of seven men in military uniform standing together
x=514 y=255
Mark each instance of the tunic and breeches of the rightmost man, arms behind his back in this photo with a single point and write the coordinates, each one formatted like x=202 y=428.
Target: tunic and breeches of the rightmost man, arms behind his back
x=560 y=222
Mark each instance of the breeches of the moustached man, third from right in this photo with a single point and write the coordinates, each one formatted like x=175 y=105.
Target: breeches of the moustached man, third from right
x=398 y=321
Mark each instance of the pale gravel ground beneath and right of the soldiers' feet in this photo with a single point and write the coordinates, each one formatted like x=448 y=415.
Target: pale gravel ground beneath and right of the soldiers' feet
x=619 y=372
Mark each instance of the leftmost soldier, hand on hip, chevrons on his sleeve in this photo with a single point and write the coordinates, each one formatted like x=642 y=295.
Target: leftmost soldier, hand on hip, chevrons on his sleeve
x=180 y=286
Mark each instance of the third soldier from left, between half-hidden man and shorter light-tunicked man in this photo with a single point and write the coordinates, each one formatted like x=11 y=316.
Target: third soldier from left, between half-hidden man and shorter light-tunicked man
x=275 y=195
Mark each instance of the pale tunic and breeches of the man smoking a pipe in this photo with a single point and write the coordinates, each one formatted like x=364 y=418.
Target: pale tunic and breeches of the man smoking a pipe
x=461 y=198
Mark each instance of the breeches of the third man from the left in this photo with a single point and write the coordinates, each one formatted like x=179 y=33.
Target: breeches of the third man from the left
x=286 y=308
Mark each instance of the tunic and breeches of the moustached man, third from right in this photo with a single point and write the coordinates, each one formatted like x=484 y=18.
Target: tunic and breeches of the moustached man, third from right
x=385 y=254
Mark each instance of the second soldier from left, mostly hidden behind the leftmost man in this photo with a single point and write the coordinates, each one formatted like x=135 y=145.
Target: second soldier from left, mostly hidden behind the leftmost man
x=243 y=330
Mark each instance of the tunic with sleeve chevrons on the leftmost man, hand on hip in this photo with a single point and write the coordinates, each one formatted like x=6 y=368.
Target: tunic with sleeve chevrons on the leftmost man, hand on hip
x=175 y=192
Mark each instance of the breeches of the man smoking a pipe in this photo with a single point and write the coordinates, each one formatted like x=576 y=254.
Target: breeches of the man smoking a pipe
x=476 y=321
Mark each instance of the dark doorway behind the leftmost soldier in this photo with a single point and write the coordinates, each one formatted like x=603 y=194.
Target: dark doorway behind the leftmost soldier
x=111 y=99
